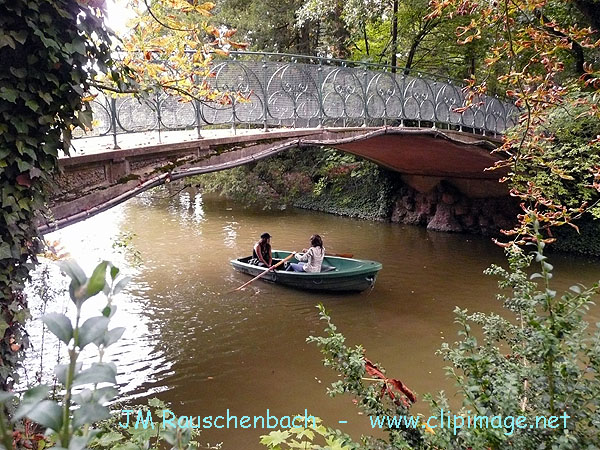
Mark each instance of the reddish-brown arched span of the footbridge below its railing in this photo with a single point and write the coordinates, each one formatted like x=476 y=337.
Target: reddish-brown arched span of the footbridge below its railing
x=93 y=183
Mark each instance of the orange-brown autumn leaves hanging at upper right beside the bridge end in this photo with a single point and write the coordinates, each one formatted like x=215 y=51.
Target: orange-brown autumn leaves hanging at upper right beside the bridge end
x=542 y=48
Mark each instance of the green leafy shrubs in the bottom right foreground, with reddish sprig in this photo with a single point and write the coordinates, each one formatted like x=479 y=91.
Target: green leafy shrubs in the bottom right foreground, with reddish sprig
x=541 y=360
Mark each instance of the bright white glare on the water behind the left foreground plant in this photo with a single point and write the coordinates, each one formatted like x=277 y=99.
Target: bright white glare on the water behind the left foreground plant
x=139 y=360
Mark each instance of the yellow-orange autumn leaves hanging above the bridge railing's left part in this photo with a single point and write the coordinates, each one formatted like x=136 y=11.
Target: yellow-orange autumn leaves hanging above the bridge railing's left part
x=170 y=47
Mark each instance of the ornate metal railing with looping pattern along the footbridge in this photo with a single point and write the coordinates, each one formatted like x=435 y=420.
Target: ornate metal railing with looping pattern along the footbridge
x=303 y=91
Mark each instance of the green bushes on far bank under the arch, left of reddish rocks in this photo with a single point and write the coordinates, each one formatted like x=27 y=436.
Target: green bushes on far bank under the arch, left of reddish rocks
x=323 y=180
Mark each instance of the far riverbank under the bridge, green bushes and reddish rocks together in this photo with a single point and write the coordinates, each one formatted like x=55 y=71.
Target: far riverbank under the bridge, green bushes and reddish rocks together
x=333 y=182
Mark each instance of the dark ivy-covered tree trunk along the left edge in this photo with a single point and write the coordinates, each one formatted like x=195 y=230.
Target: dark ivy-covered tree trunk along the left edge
x=49 y=59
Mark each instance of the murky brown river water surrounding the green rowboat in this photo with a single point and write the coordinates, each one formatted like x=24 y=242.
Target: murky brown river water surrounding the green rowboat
x=191 y=342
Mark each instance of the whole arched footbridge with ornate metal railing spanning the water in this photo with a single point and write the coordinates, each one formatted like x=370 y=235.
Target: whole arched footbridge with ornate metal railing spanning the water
x=406 y=122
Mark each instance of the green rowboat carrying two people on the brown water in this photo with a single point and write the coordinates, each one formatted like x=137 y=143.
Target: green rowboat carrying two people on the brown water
x=337 y=274
